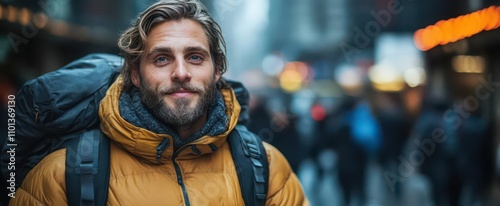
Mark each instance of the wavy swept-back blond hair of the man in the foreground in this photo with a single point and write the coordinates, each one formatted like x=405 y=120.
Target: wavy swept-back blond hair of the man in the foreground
x=132 y=41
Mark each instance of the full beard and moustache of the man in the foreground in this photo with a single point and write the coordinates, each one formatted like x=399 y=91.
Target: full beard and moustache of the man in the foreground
x=181 y=114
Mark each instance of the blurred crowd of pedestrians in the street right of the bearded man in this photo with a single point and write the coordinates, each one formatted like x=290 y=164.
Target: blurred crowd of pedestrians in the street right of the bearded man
x=437 y=144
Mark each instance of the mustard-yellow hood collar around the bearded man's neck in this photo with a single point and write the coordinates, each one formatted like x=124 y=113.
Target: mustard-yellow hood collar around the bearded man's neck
x=144 y=143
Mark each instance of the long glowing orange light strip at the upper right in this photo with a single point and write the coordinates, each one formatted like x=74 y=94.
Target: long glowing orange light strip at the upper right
x=454 y=29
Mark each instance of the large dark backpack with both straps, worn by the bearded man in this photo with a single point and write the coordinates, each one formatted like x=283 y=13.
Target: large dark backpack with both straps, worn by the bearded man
x=60 y=110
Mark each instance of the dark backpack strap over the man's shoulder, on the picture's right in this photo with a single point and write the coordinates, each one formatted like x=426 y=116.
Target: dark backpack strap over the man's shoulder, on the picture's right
x=250 y=160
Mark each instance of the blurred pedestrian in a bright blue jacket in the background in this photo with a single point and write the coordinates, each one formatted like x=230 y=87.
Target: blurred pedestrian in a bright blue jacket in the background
x=352 y=139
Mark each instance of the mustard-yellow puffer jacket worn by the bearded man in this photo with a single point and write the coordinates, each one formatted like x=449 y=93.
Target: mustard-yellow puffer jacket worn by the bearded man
x=136 y=177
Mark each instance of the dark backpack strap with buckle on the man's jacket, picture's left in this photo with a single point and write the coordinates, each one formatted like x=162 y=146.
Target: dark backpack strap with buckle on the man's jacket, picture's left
x=87 y=169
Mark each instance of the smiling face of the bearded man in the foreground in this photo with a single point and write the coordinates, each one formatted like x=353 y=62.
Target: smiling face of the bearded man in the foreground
x=176 y=75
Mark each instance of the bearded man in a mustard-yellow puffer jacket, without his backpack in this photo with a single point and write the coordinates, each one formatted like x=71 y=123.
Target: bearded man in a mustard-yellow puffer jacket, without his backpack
x=168 y=117
